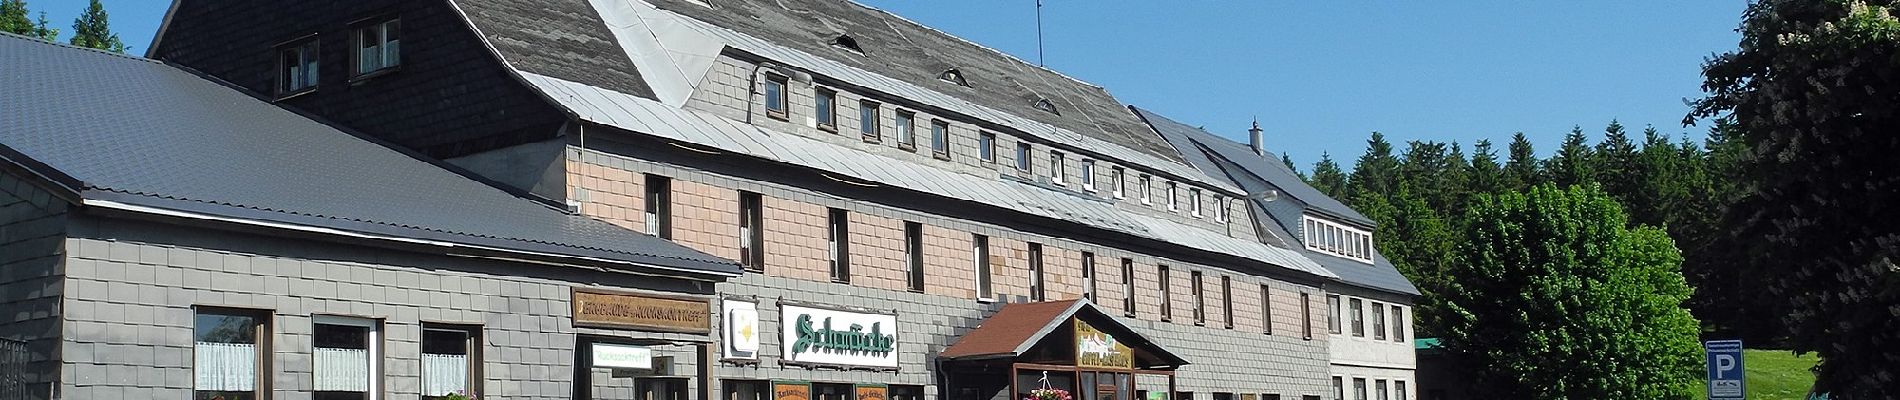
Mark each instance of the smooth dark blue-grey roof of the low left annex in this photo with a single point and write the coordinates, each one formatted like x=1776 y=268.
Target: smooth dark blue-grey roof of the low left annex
x=149 y=136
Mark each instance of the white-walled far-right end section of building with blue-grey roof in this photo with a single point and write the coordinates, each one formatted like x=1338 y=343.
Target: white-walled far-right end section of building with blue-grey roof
x=1369 y=306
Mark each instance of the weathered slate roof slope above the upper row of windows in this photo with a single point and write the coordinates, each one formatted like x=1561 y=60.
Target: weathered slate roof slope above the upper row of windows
x=903 y=50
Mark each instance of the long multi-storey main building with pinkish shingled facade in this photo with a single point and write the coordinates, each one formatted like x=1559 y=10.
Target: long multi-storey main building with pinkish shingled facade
x=865 y=170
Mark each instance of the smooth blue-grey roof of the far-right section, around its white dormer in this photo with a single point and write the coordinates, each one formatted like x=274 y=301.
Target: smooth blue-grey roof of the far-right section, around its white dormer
x=1221 y=156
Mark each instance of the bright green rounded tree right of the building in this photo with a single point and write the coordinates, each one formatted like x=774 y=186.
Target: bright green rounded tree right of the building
x=1559 y=299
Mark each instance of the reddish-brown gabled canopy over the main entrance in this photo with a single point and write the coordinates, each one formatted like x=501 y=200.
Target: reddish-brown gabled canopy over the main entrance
x=1073 y=333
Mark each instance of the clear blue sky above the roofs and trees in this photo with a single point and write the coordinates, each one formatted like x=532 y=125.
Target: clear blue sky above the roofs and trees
x=1325 y=75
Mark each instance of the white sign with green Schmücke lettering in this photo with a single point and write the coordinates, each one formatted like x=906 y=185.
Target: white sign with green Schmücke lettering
x=845 y=338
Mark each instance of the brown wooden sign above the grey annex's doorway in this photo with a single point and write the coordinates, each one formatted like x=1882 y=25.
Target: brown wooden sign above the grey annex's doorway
x=639 y=312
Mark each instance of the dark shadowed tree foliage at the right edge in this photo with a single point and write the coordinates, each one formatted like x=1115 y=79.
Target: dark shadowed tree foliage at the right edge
x=1815 y=94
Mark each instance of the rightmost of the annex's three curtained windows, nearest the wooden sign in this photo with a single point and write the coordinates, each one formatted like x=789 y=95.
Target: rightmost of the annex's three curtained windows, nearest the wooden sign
x=451 y=361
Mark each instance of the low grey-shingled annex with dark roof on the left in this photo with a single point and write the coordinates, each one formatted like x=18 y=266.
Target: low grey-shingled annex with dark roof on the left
x=164 y=236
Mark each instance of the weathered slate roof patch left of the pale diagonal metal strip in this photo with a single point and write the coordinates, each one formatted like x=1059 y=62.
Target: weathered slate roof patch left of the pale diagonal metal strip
x=561 y=39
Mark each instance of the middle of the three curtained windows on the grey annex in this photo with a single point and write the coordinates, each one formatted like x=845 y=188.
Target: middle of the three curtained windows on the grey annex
x=347 y=357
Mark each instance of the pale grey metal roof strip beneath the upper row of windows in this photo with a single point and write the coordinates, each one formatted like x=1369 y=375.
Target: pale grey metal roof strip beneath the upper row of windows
x=845 y=158
